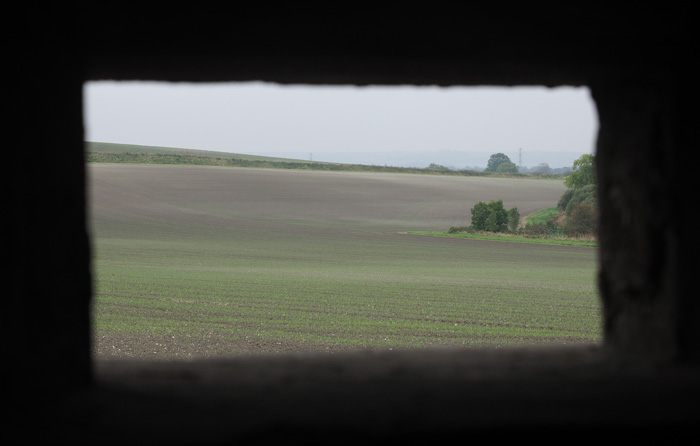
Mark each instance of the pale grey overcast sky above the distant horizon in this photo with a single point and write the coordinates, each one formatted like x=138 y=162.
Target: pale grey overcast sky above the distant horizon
x=371 y=125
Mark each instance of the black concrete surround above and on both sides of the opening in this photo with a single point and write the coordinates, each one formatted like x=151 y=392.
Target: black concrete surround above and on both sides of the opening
x=632 y=61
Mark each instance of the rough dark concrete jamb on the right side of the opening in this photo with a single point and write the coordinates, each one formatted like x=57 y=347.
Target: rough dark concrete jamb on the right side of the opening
x=645 y=195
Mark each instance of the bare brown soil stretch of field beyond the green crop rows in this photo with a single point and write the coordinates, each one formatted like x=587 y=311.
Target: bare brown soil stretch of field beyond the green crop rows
x=390 y=202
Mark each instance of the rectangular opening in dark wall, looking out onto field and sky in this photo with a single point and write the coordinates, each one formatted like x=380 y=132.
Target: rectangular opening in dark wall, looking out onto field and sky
x=217 y=232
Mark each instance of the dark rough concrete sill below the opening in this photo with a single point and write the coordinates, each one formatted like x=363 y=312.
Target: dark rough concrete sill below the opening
x=376 y=397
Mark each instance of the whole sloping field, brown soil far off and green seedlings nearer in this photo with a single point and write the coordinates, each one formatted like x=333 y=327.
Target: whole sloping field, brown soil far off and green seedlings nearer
x=193 y=262
